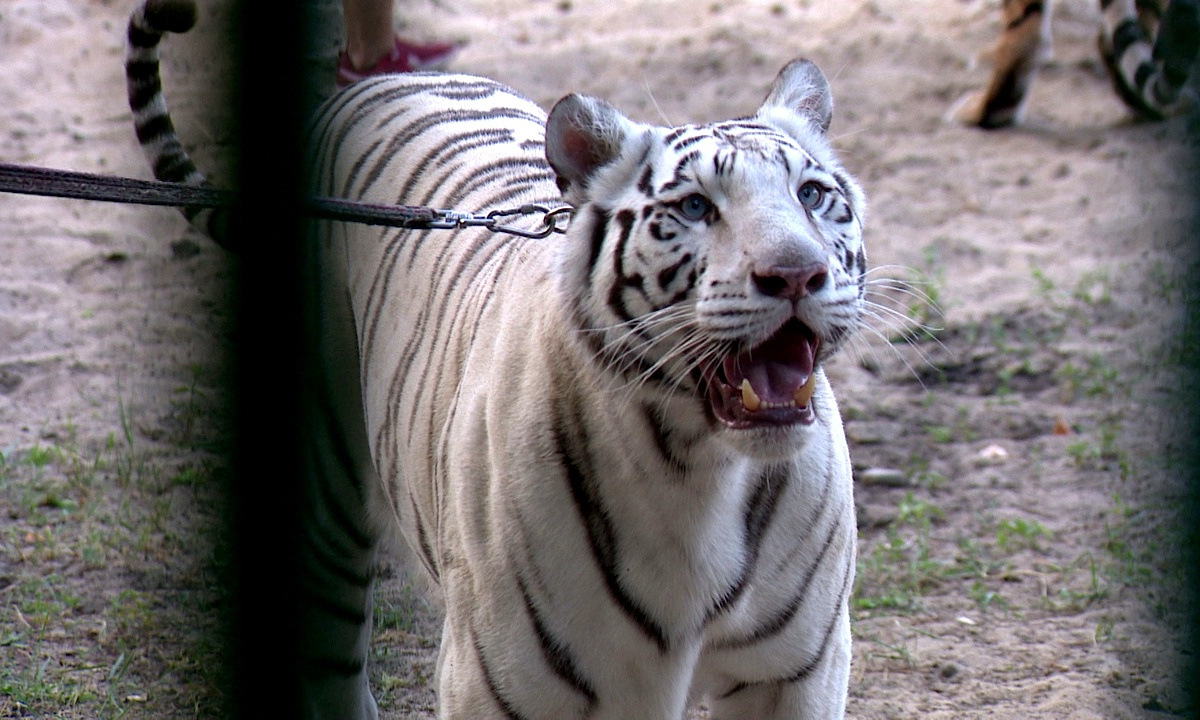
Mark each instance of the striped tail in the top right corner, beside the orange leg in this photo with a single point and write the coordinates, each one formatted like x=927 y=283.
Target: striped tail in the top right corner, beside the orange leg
x=1149 y=75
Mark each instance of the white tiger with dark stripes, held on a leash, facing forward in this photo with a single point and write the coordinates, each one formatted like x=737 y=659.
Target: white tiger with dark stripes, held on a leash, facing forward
x=615 y=452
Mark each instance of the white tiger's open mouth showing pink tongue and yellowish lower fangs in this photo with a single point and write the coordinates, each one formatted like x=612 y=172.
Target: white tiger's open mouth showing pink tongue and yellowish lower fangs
x=771 y=385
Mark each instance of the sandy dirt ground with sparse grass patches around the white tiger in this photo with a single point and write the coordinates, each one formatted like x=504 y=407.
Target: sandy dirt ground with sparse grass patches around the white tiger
x=1022 y=463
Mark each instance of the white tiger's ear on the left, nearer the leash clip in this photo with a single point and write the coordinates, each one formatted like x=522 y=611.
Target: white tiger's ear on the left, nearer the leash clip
x=583 y=136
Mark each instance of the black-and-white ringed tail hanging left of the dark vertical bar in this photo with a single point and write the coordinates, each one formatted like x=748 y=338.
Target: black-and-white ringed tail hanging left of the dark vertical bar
x=152 y=119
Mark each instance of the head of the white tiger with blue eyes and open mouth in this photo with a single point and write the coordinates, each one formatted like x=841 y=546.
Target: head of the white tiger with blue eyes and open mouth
x=723 y=261
